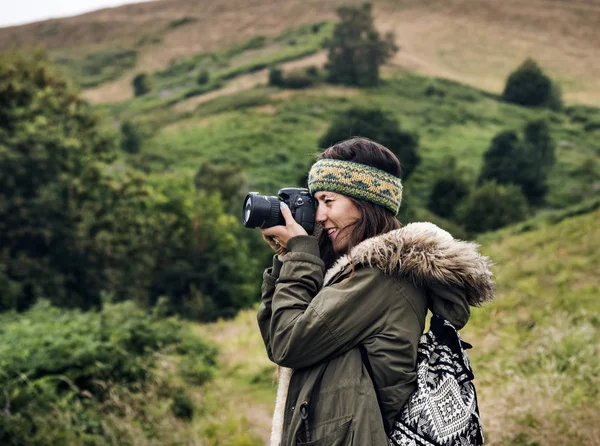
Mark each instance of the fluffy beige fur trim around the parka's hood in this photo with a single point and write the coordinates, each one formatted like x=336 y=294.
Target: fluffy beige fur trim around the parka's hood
x=424 y=253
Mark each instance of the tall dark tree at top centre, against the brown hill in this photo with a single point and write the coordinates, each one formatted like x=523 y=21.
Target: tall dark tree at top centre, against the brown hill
x=356 y=50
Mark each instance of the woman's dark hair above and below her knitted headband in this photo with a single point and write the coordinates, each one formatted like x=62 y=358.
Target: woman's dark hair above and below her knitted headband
x=374 y=219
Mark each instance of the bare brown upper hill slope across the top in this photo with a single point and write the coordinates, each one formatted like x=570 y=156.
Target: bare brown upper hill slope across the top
x=469 y=41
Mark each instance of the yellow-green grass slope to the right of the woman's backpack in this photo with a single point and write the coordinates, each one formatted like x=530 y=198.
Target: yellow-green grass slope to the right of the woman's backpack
x=536 y=347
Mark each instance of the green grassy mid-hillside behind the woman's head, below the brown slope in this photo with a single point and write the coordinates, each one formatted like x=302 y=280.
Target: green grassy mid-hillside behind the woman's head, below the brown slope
x=275 y=146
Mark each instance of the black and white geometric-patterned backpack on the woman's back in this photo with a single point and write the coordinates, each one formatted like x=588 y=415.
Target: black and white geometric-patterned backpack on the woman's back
x=443 y=410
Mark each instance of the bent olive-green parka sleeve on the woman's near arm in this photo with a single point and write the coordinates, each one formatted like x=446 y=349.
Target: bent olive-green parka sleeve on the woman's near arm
x=309 y=324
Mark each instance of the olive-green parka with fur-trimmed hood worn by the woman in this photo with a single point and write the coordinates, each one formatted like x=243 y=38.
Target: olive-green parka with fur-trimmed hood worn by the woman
x=312 y=322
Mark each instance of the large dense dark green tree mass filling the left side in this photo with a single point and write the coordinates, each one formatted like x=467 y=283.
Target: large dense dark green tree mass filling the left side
x=73 y=226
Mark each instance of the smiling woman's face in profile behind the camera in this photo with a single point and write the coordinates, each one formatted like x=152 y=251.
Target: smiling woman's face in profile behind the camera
x=337 y=214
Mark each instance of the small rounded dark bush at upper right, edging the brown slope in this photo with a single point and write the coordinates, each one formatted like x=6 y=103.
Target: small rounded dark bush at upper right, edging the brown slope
x=528 y=85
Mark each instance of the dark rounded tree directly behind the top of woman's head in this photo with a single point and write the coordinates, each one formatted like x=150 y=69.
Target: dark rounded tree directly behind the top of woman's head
x=374 y=124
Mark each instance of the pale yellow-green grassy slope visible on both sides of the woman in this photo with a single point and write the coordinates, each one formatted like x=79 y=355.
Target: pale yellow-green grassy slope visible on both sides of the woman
x=535 y=347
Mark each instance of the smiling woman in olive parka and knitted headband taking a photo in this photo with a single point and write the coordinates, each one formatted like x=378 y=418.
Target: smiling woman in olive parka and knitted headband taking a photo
x=362 y=281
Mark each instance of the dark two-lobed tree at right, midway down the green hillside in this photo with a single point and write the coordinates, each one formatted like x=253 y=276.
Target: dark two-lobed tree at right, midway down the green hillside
x=525 y=163
